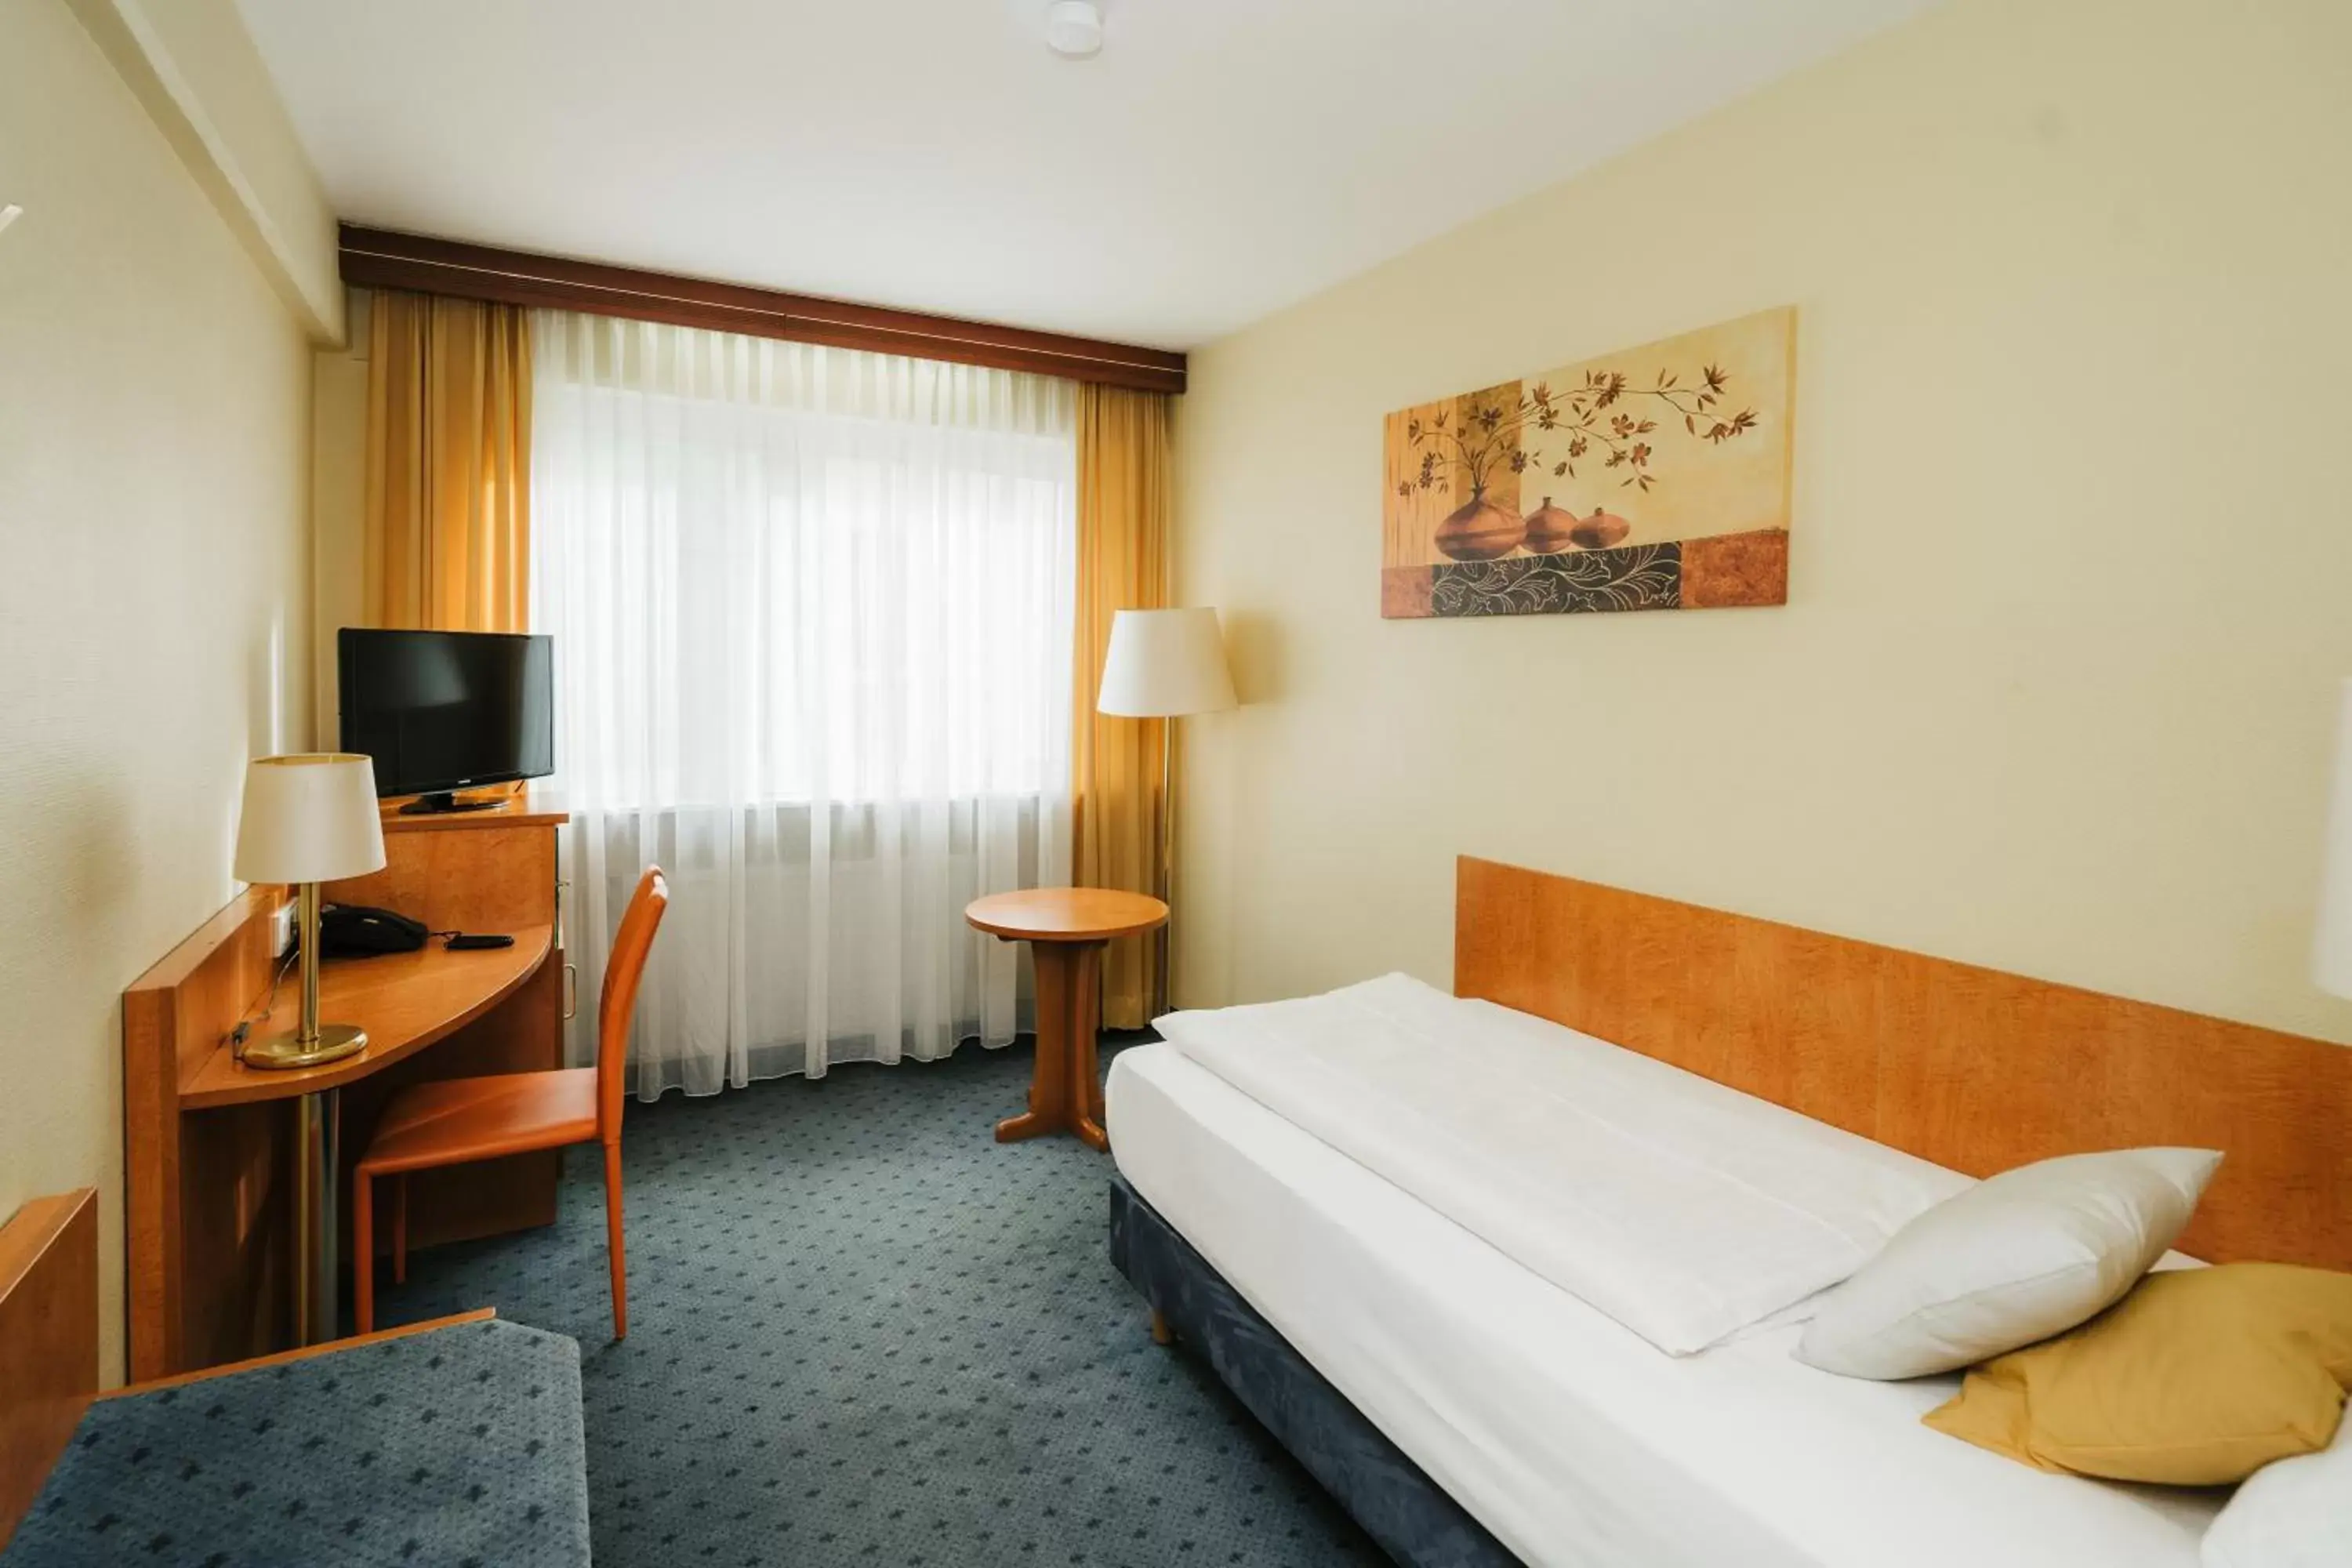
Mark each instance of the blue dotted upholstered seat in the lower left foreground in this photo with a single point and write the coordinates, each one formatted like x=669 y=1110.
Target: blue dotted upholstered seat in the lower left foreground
x=448 y=1447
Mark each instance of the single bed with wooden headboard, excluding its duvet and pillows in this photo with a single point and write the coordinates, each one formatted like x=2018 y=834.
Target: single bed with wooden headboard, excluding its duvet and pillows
x=1471 y=1412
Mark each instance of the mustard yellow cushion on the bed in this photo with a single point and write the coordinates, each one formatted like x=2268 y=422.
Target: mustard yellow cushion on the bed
x=2196 y=1379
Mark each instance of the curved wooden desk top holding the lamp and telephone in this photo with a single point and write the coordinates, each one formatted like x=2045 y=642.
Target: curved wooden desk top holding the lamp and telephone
x=403 y=1000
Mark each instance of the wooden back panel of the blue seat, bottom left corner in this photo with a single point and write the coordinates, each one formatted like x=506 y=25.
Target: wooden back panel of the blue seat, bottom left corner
x=48 y=1341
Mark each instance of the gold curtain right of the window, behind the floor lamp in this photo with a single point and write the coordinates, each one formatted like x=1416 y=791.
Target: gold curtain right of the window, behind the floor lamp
x=1125 y=453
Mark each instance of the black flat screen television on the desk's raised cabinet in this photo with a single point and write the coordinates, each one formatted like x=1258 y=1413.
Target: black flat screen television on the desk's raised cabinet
x=448 y=711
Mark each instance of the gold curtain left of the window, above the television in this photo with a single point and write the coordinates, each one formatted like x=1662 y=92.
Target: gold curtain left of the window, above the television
x=448 y=464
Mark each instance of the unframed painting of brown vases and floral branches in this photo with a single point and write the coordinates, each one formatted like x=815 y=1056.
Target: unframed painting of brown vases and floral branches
x=1681 y=450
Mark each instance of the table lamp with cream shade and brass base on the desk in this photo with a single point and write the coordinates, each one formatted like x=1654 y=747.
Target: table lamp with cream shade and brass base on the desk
x=309 y=819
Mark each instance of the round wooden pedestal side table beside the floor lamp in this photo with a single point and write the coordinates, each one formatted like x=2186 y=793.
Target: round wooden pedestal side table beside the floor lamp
x=1067 y=932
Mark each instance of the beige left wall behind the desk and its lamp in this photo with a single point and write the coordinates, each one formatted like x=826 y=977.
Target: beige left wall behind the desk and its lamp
x=154 y=596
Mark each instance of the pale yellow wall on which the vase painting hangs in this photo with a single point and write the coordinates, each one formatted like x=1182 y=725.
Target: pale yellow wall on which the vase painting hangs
x=2073 y=532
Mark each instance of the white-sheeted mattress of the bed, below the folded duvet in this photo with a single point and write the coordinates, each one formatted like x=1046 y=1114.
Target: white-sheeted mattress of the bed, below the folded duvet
x=1568 y=1435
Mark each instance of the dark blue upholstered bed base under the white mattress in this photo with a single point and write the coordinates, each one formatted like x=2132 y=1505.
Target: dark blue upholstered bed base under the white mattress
x=1384 y=1492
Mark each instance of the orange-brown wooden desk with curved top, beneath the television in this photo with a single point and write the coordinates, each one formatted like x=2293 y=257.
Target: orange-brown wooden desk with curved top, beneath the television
x=211 y=1146
